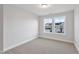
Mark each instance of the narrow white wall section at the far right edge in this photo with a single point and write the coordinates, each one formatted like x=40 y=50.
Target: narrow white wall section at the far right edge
x=76 y=24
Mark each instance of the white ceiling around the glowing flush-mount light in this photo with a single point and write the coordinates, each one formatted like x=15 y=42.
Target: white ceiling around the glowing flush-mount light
x=53 y=8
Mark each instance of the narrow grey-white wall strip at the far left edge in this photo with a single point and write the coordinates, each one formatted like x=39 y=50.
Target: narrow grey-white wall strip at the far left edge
x=1 y=28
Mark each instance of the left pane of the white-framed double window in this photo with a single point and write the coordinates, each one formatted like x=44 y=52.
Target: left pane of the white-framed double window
x=48 y=25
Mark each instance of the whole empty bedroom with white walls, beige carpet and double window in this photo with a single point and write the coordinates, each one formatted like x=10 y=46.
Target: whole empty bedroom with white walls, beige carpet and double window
x=39 y=28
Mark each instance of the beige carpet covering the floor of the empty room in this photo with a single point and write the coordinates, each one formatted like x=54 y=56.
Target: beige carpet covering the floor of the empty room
x=44 y=46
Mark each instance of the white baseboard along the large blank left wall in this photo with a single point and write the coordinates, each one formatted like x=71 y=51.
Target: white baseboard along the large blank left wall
x=18 y=44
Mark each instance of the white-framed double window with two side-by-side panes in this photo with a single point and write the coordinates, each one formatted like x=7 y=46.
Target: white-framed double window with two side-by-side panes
x=54 y=24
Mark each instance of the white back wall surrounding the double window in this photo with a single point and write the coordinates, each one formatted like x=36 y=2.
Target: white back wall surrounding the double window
x=69 y=28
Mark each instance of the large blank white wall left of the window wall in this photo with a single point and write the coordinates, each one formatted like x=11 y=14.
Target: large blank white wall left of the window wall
x=19 y=26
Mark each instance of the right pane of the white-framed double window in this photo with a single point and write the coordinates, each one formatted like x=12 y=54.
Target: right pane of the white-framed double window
x=59 y=24
